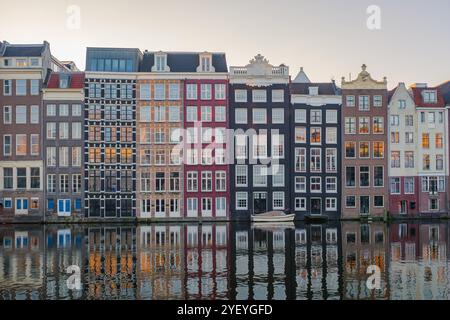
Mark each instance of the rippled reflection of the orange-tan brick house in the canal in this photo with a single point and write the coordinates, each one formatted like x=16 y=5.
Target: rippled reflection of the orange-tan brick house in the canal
x=160 y=262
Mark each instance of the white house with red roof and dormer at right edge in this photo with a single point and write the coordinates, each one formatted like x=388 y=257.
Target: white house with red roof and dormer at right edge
x=432 y=130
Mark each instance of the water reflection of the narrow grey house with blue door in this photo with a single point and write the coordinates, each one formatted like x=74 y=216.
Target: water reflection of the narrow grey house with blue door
x=64 y=247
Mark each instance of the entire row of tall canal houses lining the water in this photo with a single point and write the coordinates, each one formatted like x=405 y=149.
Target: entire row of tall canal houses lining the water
x=179 y=135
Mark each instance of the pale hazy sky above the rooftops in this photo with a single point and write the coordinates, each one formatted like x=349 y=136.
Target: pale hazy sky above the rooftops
x=328 y=38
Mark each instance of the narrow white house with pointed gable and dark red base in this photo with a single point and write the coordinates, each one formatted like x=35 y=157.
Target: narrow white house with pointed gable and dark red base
x=403 y=158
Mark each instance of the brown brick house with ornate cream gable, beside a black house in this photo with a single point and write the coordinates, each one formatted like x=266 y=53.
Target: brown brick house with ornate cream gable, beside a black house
x=365 y=191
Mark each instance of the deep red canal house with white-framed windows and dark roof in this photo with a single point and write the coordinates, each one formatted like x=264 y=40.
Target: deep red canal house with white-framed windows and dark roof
x=206 y=170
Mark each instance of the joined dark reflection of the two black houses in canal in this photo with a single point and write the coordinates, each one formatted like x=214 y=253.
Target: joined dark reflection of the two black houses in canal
x=286 y=263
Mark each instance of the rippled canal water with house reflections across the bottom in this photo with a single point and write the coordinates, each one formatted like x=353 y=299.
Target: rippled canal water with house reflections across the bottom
x=226 y=261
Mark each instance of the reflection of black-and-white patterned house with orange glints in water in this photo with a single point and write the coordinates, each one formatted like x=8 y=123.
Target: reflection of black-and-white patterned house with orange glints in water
x=111 y=262
